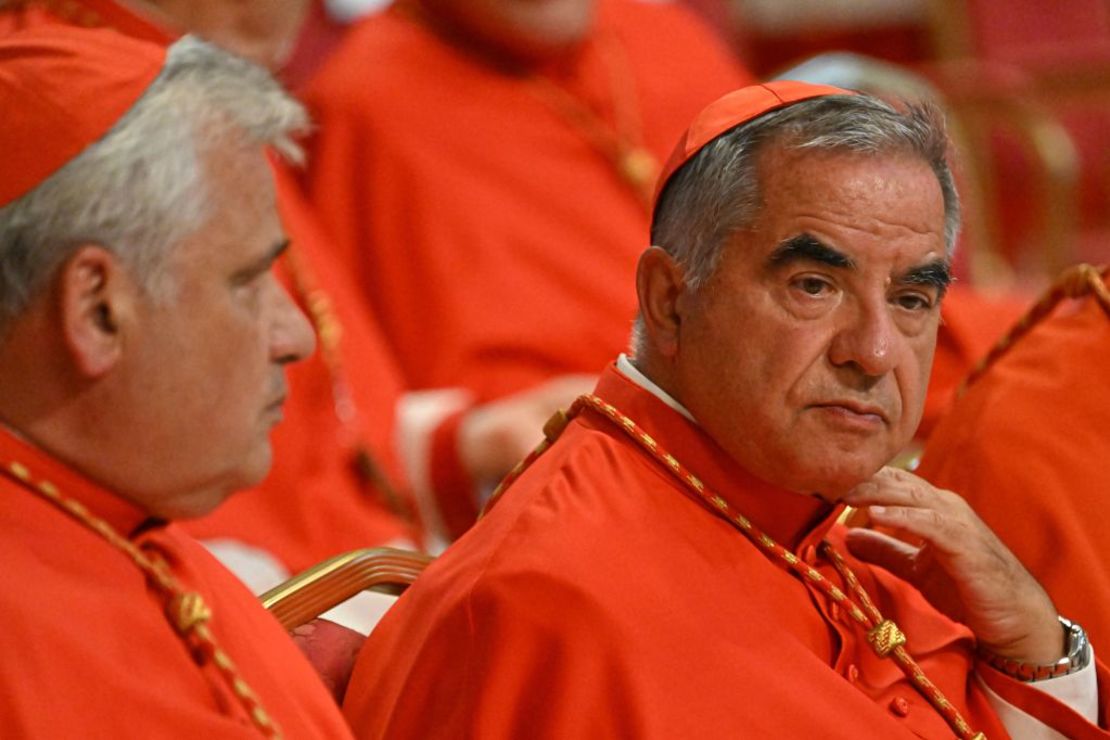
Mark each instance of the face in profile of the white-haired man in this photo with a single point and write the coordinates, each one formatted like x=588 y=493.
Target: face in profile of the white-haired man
x=208 y=364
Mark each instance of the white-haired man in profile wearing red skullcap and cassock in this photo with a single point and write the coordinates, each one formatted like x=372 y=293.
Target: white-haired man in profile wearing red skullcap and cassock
x=144 y=344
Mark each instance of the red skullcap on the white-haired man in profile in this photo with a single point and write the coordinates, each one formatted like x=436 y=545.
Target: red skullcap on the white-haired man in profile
x=63 y=89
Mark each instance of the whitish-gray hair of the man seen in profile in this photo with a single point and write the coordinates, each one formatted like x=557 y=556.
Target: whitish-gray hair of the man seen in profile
x=143 y=188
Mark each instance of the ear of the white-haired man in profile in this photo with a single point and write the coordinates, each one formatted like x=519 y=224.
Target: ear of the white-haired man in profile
x=94 y=295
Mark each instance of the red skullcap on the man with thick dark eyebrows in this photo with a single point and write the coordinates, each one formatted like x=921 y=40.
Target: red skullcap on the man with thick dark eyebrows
x=734 y=109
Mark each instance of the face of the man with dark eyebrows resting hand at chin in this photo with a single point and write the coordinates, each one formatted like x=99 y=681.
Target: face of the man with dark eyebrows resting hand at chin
x=808 y=354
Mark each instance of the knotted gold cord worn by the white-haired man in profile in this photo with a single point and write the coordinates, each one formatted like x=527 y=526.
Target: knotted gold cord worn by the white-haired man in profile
x=186 y=611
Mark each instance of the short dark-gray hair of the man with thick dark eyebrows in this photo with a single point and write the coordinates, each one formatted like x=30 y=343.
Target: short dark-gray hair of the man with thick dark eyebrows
x=717 y=194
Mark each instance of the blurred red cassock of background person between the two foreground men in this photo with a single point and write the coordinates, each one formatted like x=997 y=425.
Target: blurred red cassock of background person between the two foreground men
x=493 y=238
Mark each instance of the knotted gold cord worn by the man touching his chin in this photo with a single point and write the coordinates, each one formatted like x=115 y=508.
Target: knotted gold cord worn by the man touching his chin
x=883 y=635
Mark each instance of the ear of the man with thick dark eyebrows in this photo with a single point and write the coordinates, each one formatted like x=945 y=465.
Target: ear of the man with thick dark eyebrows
x=660 y=286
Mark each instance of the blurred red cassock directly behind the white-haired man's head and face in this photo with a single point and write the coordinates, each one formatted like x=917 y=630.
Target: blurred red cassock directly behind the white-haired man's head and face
x=319 y=499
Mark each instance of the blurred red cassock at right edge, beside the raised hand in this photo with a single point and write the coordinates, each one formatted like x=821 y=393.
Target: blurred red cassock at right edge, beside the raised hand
x=1028 y=448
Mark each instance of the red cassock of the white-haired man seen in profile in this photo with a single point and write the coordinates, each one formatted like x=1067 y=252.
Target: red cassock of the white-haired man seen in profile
x=88 y=647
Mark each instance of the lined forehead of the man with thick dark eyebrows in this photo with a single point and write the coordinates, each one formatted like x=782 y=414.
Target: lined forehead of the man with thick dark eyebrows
x=887 y=206
